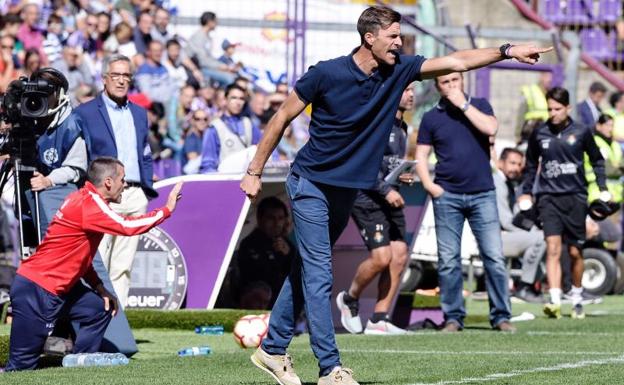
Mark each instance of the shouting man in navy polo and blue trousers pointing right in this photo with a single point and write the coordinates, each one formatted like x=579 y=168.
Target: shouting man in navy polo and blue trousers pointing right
x=354 y=99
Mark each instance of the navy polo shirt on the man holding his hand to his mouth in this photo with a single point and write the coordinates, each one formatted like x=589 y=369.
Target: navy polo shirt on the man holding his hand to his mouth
x=462 y=151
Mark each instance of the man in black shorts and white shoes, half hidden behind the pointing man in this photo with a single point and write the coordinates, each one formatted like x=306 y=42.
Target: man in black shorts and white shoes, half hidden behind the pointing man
x=378 y=214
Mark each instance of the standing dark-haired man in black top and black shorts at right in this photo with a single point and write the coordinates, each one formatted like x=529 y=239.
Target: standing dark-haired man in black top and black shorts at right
x=557 y=147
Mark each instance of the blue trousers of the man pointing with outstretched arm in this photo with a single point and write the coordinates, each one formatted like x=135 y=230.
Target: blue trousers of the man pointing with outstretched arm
x=320 y=213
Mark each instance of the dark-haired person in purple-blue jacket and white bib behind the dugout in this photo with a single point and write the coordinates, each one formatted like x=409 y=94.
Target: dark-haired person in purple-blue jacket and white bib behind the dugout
x=229 y=134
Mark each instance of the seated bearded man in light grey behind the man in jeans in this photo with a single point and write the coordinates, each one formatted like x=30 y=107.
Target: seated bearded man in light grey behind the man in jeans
x=516 y=241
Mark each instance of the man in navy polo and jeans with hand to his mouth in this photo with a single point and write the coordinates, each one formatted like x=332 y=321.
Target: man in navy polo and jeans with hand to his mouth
x=459 y=128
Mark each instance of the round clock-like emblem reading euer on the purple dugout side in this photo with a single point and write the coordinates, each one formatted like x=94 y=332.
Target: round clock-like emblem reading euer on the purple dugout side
x=158 y=279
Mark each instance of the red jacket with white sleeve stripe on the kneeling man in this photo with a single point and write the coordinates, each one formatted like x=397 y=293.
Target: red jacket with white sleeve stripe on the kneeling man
x=66 y=253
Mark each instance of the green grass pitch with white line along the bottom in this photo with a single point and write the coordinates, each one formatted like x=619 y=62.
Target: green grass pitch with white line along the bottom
x=543 y=351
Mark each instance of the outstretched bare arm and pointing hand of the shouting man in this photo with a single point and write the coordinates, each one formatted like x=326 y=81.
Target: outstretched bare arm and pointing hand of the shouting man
x=470 y=59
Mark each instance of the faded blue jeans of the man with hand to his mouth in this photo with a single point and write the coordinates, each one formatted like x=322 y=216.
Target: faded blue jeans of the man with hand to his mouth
x=450 y=211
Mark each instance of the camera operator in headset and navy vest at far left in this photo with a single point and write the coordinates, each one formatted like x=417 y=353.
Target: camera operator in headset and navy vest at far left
x=61 y=151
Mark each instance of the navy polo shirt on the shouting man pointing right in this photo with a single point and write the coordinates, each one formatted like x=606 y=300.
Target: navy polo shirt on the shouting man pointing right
x=352 y=116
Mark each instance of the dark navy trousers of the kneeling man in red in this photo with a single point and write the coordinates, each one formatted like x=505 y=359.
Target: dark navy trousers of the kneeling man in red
x=35 y=312
